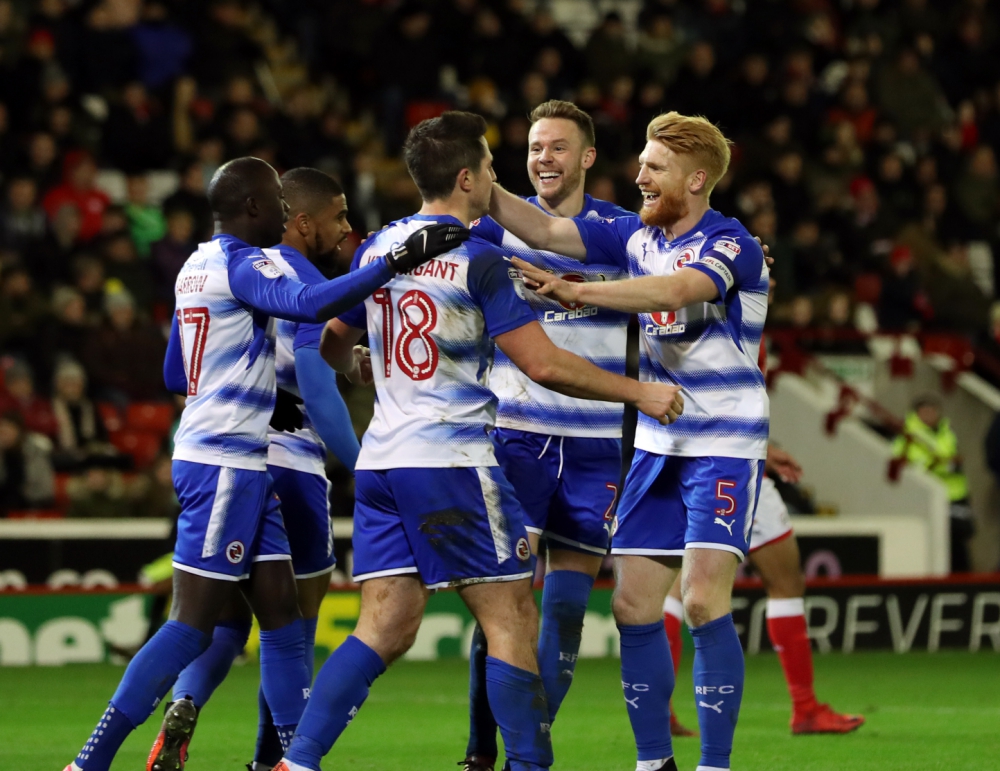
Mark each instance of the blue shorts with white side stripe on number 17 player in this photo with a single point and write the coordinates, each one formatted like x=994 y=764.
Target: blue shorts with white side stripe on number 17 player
x=229 y=519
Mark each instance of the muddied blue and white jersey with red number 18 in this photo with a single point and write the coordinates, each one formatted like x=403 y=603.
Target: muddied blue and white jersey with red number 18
x=430 y=337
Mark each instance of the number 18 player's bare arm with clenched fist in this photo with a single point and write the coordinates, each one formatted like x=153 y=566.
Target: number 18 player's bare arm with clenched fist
x=559 y=370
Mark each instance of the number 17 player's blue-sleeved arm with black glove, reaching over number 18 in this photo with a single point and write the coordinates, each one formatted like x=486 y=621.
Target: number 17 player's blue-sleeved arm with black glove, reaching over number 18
x=262 y=285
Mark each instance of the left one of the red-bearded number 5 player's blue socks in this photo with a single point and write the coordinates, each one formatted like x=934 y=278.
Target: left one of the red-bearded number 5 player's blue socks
x=648 y=682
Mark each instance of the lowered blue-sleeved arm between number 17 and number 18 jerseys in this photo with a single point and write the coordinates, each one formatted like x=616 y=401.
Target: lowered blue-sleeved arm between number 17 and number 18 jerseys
x=325 y=406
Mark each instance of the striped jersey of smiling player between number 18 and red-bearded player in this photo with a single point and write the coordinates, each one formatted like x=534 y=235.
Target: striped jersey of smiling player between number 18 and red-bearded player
x=596 y=334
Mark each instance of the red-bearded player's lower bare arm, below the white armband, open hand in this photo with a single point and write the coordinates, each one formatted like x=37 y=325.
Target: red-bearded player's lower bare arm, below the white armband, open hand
x=647 y=294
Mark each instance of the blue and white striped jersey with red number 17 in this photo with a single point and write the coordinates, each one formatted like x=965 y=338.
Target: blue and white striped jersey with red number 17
x=222 y=344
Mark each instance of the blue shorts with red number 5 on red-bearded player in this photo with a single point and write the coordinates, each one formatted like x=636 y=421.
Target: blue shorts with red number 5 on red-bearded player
x=671 y=503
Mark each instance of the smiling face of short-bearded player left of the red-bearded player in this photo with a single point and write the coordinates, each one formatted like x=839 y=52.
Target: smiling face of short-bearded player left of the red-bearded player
x=557 y=158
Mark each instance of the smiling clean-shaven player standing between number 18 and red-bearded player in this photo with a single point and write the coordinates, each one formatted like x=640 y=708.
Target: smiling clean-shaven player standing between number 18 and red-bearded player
x=562 y=455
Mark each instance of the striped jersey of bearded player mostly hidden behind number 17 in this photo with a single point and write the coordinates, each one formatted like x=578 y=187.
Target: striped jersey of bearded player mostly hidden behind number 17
x=302 y=449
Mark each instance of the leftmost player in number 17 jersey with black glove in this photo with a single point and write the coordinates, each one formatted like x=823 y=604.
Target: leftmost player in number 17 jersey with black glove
x=230 y=527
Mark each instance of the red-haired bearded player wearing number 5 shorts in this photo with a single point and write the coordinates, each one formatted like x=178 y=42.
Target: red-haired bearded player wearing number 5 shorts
x=699 y=285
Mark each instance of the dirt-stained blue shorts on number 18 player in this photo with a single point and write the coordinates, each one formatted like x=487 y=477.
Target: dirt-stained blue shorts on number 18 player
x=452 y=526
